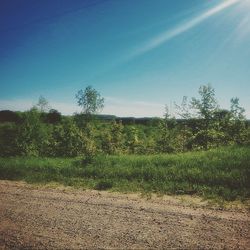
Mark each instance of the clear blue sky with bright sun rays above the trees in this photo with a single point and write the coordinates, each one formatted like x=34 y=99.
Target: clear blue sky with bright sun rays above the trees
x=139 y=54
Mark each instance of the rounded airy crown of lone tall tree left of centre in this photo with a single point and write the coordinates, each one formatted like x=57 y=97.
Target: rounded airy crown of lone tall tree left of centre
x=90 y=101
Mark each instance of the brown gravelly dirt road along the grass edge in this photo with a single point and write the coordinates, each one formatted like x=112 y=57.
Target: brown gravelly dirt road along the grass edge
x=35 y=218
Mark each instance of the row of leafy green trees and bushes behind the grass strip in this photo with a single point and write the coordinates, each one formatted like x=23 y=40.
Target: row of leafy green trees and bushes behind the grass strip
x=201 y=124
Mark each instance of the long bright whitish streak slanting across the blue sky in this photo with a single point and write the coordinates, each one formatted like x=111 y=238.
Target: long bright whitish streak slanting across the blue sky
x=171 y=33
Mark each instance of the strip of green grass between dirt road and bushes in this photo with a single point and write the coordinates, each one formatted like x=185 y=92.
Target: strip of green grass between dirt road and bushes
x=220 y=173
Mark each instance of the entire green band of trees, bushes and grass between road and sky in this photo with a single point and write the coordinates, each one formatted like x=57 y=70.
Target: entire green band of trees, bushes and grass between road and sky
x=206 y=152
